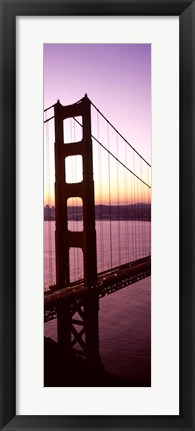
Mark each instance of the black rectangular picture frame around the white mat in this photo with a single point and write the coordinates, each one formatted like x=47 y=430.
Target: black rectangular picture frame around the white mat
x=9 y=10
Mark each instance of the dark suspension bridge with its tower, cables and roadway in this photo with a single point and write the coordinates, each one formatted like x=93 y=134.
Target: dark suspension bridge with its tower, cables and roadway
x=100 y=238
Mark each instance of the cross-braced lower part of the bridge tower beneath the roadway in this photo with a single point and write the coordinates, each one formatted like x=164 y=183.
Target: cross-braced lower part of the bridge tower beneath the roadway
x=78 y=332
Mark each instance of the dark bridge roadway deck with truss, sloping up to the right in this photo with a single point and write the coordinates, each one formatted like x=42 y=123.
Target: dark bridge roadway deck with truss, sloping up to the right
x=108 y=281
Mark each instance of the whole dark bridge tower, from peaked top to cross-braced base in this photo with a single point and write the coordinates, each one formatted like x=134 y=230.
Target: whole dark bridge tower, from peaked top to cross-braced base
x=77 y=321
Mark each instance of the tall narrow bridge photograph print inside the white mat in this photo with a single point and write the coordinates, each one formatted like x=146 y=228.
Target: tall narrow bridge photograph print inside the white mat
x=106 y=222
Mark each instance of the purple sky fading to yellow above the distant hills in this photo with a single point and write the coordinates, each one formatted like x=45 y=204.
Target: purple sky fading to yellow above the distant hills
x=117 y=79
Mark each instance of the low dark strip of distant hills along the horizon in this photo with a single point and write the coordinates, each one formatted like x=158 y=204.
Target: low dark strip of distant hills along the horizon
x=139 y=211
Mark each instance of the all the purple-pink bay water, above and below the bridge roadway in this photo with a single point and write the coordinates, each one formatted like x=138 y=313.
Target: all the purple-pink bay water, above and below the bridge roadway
x=124 y=316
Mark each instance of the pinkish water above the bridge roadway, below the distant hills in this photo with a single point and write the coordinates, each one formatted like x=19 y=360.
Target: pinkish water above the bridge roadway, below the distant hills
x=129 y=240
